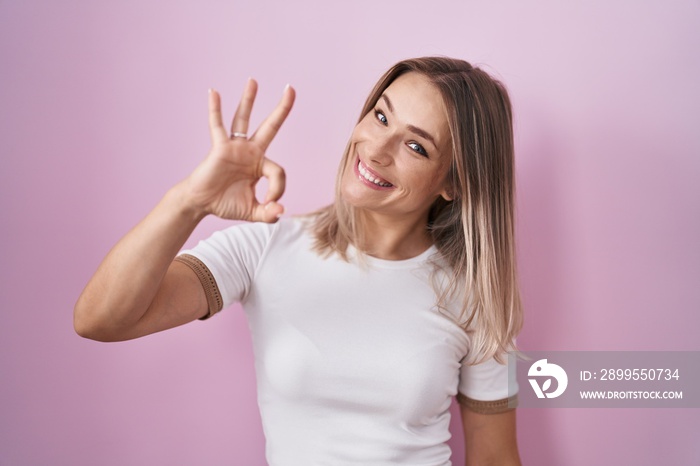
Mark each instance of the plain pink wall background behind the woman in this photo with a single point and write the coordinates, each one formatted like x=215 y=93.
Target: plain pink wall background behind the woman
x=103 y=107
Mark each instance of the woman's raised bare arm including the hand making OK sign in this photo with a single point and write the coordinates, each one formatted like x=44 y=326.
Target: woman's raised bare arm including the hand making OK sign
x=138 y=289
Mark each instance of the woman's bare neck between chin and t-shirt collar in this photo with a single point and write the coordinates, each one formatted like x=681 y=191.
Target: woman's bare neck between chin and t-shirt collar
x=393 y=238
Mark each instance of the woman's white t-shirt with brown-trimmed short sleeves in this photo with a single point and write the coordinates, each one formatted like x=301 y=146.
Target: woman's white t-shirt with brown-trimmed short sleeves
x=354 y=363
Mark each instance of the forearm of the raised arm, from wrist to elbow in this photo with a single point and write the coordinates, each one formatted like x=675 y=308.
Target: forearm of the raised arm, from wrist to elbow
x=126 y=282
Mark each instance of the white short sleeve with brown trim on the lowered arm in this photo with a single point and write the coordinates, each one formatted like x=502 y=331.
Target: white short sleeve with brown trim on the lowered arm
x=488 y=387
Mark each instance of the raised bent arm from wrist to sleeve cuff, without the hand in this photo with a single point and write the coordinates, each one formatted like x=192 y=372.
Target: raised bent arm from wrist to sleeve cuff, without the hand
x=136 y=291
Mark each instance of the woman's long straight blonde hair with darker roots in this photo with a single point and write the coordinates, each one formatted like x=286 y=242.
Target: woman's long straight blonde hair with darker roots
x=473 y=233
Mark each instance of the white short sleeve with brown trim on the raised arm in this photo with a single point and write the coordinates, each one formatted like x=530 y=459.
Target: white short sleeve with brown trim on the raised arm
x=226 y=262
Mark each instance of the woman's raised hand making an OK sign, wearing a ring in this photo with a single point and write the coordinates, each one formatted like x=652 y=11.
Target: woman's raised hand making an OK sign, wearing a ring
x=224 y=183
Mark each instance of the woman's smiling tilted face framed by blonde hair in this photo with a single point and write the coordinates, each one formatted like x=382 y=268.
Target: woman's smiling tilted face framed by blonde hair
x=400 y=152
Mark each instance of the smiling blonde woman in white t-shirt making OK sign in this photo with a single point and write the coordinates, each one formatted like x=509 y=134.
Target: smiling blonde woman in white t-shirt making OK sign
x=369 y=315
